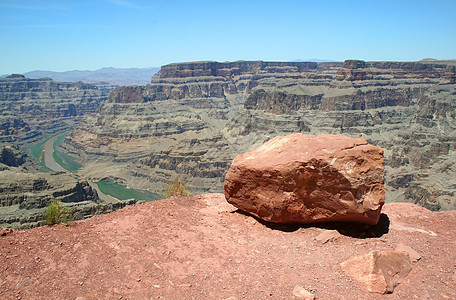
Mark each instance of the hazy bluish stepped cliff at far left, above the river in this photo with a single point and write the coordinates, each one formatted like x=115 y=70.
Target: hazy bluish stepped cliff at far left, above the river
x=31 y=107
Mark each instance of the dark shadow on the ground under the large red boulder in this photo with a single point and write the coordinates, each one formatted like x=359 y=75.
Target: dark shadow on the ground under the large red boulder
x=352 y=229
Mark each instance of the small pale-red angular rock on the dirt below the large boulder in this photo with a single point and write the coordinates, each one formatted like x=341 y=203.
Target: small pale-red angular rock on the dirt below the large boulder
x=378 y=271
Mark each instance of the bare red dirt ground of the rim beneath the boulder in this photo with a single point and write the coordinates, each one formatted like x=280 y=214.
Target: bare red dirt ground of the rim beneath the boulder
x=201 y=247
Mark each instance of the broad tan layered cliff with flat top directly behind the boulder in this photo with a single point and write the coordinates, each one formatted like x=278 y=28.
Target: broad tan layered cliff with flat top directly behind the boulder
x=194 y=118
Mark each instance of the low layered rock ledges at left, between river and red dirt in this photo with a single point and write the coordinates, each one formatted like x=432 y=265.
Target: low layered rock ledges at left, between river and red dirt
x=24 y=197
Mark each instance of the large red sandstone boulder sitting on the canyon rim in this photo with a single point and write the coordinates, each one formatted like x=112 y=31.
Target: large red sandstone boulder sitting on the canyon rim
x=306 y=178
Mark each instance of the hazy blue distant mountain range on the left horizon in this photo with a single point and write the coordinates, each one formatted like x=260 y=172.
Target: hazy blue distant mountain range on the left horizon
x=115 y=76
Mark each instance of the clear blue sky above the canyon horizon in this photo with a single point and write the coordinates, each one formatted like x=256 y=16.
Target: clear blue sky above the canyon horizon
x=60 y=35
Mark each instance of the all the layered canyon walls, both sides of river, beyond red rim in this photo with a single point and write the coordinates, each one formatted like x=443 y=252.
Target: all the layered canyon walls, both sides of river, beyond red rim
x=192 y=119
